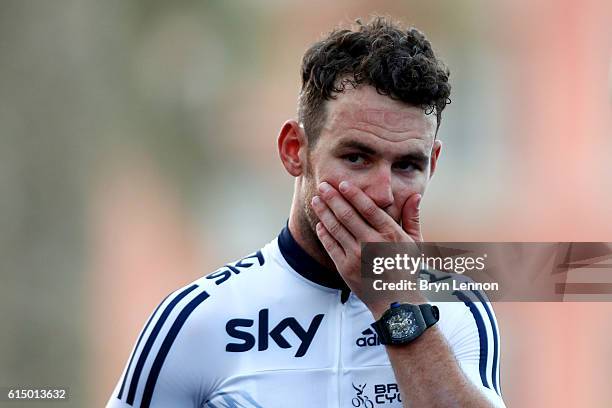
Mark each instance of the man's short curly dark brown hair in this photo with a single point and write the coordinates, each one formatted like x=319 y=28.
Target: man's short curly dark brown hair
x=399 y=63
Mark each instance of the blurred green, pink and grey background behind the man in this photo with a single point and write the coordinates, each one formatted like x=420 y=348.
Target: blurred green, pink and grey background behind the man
x=137 y=153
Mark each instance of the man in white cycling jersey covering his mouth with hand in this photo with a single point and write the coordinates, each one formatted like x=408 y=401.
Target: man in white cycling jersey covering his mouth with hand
x=289 y=325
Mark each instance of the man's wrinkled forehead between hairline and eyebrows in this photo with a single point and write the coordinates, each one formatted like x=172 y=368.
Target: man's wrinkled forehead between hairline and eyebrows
x=363 y=111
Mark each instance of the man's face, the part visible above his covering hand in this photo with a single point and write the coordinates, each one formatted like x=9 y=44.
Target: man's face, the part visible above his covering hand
x=380 y=145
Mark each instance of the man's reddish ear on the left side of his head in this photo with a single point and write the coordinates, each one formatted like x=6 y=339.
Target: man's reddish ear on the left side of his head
x=292 y=145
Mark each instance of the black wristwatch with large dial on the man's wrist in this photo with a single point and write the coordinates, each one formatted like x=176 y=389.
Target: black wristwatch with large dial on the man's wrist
x=404 y=322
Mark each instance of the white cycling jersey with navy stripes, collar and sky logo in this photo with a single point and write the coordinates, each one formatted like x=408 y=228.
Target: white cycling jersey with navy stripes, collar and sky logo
x=275 y=329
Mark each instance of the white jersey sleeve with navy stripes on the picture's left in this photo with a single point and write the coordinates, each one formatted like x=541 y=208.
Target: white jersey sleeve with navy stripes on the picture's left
x=168 y=365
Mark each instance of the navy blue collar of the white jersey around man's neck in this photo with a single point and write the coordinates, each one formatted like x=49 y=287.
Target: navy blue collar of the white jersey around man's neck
x=307 y=266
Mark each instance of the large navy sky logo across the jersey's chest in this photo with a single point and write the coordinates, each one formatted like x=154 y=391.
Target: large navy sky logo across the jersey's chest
x=263 y=333
